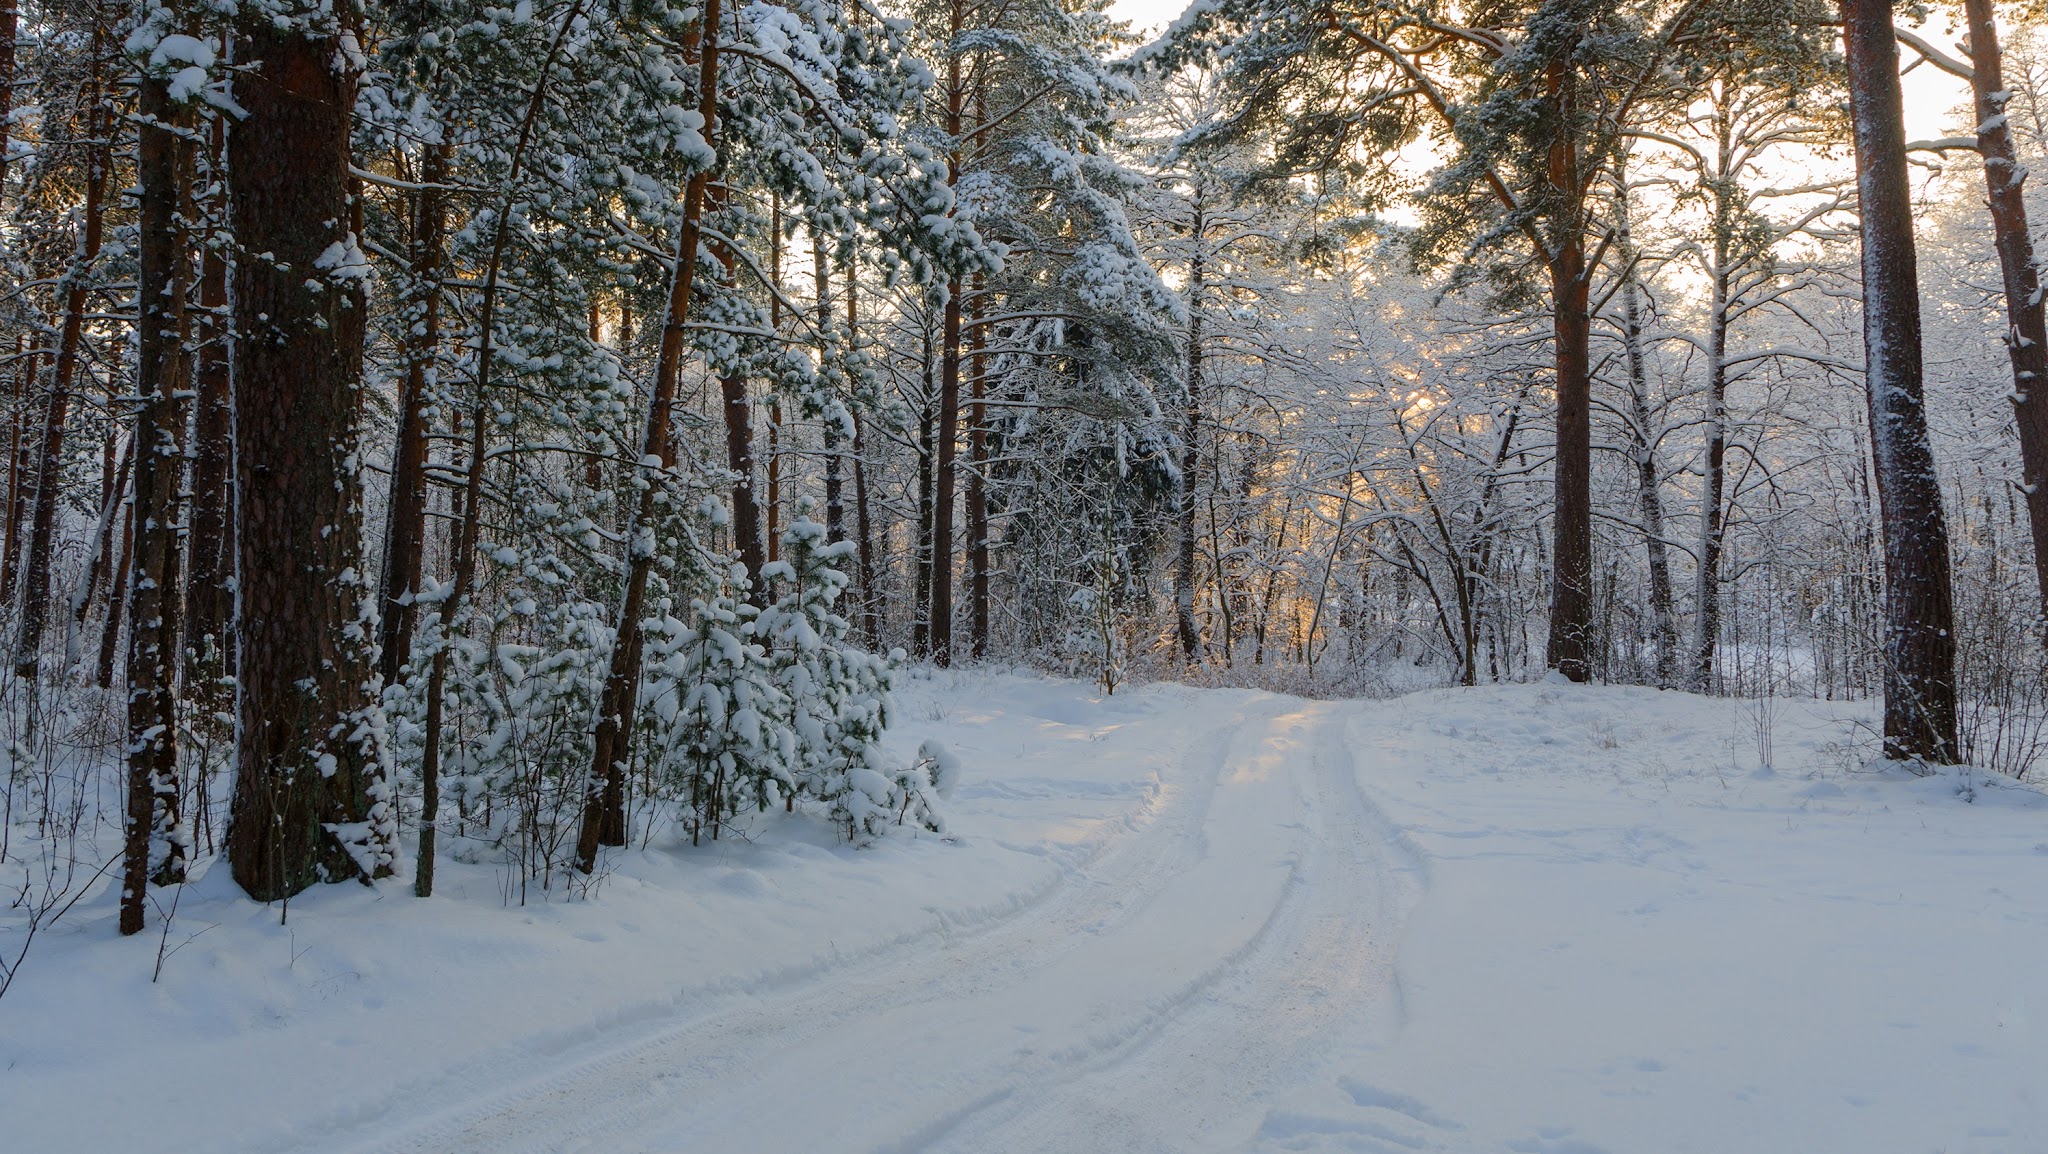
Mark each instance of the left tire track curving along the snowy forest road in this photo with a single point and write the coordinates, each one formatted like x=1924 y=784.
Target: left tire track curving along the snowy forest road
x=691 y=1061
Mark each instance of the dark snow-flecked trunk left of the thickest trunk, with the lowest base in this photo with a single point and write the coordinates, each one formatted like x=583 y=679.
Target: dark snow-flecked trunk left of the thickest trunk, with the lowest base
x=153 y=655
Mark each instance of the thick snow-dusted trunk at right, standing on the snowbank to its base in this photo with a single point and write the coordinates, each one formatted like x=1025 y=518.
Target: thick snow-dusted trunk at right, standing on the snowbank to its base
x=1920 y=643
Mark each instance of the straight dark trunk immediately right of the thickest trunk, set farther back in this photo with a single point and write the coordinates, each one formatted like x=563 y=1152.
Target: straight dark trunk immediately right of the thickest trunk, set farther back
x=407 y=509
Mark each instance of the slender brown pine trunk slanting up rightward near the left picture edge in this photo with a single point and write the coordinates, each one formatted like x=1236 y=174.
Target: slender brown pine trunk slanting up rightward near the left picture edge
x=34 y=595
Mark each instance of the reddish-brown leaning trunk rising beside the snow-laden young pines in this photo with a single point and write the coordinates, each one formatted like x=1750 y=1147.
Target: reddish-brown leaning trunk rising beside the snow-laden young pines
x=603 y=821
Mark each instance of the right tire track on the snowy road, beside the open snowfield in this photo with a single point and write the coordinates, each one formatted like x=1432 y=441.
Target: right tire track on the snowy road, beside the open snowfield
x=1267 y=1020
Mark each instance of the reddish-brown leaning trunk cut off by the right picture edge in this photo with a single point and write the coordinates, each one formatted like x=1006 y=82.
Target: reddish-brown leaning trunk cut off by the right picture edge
x=2026 y=335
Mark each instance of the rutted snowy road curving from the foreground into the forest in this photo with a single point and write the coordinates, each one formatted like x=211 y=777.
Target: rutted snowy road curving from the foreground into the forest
x=1197 y=966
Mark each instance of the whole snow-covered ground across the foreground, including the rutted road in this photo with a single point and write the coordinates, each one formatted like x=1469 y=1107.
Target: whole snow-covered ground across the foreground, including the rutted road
x=1527 y=919
